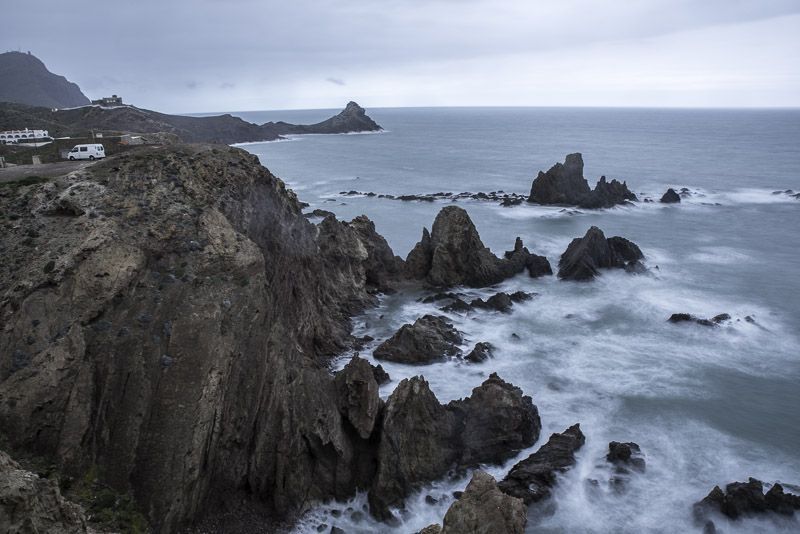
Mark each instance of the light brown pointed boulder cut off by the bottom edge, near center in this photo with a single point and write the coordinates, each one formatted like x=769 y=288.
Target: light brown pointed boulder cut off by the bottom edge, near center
x=483 y=508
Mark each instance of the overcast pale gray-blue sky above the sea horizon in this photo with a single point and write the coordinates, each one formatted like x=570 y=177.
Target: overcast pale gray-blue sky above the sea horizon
x=181 y=56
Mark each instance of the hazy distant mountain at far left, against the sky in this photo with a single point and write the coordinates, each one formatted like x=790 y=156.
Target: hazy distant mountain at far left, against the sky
x=24 y=79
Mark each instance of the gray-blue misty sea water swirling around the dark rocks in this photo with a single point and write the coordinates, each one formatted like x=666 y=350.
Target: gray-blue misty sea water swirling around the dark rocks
x=707 y=406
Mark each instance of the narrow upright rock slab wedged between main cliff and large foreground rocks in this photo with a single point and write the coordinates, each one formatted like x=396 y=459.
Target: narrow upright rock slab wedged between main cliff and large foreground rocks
x=357 y=393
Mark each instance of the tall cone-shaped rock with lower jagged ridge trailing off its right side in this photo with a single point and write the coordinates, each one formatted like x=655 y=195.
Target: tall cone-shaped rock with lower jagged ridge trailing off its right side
x=453 y=254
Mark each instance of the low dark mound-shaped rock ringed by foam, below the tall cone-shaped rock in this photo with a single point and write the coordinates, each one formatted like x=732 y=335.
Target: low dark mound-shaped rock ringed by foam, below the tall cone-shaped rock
x=431 y=338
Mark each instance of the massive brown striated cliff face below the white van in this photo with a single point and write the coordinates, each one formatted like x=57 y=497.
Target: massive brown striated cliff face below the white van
x=165 y=320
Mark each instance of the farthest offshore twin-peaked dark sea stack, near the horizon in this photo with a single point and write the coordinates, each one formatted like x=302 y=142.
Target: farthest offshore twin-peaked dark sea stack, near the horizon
x=564 y=184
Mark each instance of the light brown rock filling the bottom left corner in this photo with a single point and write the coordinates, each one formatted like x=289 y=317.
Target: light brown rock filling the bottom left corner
x=29 y=503
